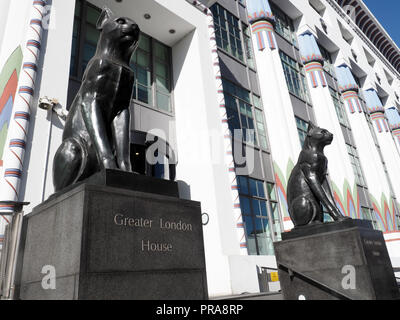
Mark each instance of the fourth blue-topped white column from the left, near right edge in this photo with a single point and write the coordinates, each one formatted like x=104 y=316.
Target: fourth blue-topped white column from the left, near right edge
x=389 y=151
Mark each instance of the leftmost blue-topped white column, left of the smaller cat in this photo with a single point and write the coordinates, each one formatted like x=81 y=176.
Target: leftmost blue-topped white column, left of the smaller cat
x=277 y=103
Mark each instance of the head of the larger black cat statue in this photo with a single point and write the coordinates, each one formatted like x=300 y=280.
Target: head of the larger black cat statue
x=120 y=32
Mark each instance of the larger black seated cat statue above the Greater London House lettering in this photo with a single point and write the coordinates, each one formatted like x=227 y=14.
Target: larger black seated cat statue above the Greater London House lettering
x=97 y=130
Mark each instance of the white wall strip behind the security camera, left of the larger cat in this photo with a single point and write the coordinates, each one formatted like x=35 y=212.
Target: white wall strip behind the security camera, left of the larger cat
x=45 y=134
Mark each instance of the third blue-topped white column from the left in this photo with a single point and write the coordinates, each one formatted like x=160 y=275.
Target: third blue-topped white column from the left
x=374 y=173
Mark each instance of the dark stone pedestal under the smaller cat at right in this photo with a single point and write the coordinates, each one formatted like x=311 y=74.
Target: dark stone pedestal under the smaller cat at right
x=338 y=260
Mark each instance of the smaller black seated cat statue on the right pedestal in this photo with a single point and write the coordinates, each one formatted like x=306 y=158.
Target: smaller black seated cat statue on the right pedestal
x=308 y=187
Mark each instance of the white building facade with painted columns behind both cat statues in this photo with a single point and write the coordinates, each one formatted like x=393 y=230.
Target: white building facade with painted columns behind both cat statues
x=207 y=69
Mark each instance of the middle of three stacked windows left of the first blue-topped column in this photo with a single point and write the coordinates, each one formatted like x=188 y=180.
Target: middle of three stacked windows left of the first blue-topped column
x=240 y=114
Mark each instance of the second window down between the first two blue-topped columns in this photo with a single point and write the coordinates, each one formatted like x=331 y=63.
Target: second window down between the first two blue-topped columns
x=295 y=77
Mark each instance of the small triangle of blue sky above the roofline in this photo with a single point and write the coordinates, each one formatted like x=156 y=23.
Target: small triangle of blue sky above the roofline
x=388 y=14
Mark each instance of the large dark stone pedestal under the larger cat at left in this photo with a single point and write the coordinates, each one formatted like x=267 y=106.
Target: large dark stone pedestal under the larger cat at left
x=113 y=243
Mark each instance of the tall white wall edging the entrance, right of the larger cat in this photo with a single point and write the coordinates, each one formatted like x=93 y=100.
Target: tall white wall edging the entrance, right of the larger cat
x=195 y=99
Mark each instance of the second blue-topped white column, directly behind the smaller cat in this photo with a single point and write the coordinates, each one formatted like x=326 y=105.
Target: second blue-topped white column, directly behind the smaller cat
x=341 y=172
